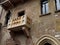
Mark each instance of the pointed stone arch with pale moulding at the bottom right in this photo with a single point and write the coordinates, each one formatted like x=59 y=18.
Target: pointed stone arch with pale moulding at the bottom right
x=47 y=39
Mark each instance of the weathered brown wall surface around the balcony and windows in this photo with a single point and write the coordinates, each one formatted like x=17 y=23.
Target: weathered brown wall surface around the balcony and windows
x=40 y=25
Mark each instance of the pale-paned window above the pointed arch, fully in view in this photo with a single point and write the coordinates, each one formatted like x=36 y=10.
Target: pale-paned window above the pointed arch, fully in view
x=44 y=7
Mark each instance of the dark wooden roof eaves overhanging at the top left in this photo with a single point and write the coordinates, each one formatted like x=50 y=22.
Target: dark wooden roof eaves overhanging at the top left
x=8 y=4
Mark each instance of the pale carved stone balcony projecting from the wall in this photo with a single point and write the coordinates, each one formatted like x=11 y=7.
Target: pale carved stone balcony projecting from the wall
x=18 y=23
